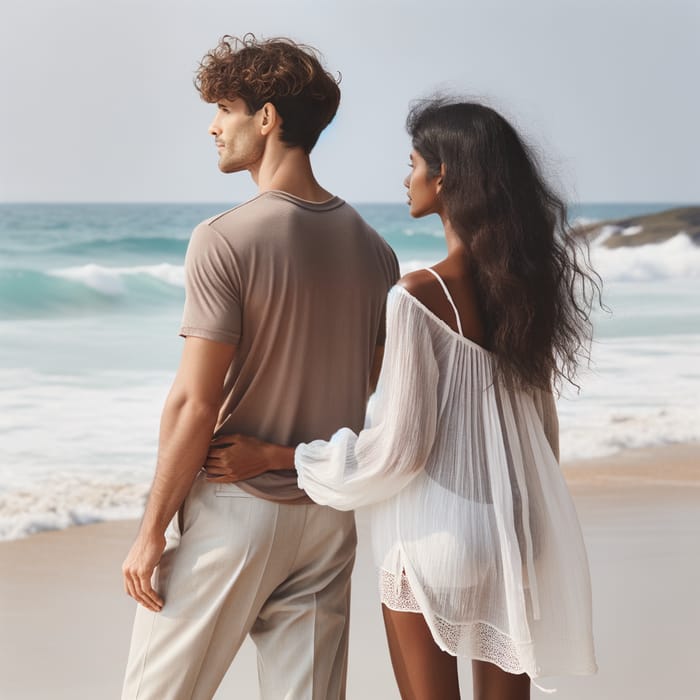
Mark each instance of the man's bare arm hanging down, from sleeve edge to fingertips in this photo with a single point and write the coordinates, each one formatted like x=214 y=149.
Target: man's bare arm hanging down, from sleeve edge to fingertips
x=187 y=424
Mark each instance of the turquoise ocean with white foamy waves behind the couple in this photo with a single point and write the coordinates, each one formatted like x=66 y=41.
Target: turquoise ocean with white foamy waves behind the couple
x=90 y=304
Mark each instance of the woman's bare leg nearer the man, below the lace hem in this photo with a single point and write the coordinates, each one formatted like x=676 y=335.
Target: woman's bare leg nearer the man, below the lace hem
x=422 y=670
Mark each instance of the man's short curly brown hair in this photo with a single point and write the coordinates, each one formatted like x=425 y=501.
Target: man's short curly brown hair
x=279 y=71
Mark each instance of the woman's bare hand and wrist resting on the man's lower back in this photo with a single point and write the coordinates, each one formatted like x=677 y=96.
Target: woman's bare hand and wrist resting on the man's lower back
x=234 y=458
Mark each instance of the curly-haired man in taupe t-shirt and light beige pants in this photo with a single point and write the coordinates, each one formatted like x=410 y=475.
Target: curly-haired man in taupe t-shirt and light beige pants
x=283 y=323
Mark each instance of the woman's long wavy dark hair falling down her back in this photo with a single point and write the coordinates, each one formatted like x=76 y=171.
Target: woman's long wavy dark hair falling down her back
x=534 y=283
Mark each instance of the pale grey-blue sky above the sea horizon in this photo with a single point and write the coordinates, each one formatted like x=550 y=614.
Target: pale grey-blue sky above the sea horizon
x=98 y=102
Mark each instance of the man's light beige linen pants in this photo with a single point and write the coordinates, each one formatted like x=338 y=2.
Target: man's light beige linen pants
x=235 y=564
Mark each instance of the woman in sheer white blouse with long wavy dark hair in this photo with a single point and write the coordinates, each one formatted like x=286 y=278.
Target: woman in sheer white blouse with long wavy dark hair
x=474 y=531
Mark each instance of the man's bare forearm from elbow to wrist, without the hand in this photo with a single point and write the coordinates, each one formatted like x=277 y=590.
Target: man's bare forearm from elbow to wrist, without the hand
x=186 y=429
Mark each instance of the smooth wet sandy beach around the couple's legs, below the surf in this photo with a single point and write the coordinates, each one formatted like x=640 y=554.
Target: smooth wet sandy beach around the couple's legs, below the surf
x=65 y=621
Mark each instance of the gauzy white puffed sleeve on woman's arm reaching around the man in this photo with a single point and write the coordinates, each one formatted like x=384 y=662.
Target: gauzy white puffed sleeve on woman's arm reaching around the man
x=353 y=470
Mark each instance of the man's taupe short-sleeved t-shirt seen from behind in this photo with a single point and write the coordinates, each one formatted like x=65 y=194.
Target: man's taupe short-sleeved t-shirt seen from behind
x=300 y=289
